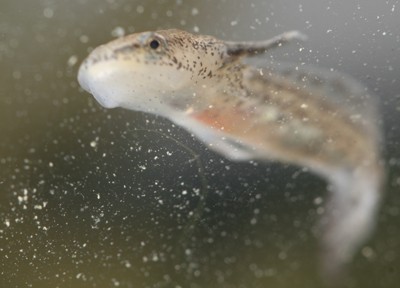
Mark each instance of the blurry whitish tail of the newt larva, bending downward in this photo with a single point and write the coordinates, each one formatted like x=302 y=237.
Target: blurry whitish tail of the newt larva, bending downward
x=350 y=215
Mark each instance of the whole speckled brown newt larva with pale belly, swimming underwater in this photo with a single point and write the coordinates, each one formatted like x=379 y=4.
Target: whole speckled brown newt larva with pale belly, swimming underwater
x=303 y=116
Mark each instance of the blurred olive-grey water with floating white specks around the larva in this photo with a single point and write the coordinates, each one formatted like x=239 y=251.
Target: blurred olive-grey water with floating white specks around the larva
x=112 y=198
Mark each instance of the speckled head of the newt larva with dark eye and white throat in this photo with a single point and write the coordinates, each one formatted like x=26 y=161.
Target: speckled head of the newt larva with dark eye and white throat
x=150 y=71
